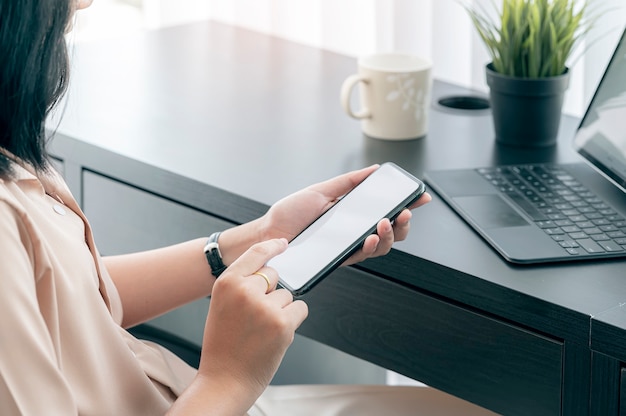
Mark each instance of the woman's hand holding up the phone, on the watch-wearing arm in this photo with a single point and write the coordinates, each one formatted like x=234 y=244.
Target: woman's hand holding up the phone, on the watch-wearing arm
x=289 y=216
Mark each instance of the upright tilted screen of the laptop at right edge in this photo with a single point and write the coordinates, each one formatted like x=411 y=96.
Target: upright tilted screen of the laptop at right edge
x=601 y=136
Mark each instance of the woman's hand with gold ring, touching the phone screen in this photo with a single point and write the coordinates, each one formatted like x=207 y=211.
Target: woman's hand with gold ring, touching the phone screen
x=250 y=325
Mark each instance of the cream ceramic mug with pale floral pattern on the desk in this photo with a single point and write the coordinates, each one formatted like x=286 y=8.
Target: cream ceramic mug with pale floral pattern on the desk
x=395 y=93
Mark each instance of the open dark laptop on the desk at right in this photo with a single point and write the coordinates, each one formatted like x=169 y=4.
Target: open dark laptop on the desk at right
x=539 y=213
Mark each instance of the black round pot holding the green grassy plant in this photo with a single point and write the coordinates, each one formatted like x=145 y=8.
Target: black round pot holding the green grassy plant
x=526 y=111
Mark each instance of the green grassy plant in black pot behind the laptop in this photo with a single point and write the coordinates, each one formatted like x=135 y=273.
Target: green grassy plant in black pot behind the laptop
x=530 y=43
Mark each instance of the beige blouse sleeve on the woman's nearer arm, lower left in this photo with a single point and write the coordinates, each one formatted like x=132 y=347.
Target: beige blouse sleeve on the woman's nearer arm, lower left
x=31 y=382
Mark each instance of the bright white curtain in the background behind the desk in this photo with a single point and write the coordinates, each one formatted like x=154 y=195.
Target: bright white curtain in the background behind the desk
x=438 y=29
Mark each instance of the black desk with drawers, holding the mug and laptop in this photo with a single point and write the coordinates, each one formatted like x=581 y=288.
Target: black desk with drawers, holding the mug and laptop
x=218 y=123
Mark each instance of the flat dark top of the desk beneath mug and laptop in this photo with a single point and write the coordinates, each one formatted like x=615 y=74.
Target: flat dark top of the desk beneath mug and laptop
x=260 y=117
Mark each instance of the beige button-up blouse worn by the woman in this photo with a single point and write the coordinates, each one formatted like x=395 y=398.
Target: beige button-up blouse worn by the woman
x=62 y=350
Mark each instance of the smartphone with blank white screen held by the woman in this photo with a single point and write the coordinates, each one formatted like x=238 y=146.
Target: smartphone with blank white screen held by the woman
x=341 y=230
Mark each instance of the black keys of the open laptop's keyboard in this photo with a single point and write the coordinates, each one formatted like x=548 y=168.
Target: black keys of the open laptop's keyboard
x=576 y=219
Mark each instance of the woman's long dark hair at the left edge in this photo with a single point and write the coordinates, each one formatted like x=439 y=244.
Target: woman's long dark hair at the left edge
x=33 y=75
